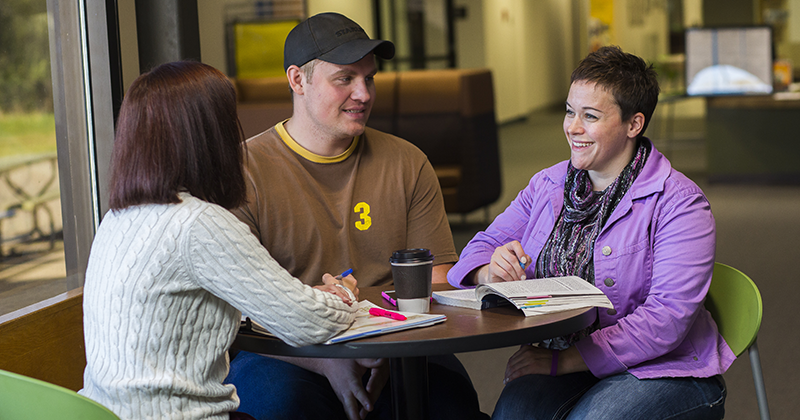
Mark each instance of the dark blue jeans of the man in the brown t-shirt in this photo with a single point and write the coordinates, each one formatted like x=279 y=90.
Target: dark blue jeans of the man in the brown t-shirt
x=271 y=389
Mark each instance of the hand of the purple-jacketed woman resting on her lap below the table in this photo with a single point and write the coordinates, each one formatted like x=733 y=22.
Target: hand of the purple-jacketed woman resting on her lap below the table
x=532 y=360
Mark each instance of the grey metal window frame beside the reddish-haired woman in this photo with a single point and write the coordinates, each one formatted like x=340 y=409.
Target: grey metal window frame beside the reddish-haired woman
x=83 y=100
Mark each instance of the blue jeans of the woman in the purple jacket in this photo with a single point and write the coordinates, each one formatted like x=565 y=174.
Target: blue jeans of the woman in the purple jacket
x=622 y=396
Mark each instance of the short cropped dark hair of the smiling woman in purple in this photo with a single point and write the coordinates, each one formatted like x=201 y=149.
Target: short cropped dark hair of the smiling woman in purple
x=632 y=83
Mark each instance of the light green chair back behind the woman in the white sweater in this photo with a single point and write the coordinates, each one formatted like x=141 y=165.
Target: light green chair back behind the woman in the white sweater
x=22 y=397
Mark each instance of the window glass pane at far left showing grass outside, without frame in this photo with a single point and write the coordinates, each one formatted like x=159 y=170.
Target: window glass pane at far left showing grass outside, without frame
x=32 y=263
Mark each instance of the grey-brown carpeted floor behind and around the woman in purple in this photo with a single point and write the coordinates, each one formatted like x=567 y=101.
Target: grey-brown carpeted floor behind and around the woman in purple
x=757 y=231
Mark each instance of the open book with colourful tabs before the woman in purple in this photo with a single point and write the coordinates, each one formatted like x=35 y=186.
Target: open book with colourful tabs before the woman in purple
x=533 y=297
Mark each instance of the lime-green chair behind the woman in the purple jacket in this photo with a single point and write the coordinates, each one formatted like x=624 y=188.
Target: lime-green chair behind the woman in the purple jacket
x=735 y=303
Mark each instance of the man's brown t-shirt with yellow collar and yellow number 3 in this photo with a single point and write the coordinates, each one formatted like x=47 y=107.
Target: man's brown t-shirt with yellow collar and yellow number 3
x=320 y=214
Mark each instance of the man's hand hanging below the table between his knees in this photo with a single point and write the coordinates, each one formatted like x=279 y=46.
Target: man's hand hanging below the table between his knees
x=345 y=376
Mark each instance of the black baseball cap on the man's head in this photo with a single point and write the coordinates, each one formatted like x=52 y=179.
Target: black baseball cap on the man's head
x=333 y=38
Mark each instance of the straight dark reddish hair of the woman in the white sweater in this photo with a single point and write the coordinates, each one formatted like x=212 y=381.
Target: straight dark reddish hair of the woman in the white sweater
x=178 y=131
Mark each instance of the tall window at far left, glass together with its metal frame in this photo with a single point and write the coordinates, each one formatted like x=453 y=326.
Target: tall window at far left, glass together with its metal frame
x=56 y=133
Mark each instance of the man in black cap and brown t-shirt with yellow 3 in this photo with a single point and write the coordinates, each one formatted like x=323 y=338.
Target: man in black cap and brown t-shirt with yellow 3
x=326 y=193
